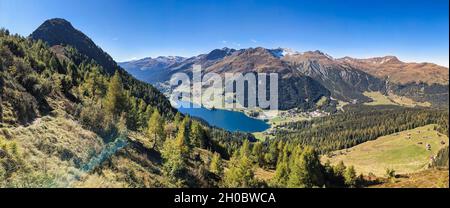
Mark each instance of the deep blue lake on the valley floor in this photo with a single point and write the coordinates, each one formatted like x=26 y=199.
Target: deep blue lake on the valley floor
x=228 y=120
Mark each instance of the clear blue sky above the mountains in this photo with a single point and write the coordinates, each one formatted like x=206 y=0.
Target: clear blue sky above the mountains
x=412 y=30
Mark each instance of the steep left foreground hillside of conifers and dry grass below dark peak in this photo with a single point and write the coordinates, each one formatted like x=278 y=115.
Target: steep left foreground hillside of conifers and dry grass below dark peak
x=66 y=121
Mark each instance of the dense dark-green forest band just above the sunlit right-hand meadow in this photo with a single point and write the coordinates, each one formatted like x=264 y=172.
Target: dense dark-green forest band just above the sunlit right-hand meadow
x=358 y=125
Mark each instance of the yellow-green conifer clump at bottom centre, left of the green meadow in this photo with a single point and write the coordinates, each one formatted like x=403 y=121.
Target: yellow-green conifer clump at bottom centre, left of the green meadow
x=295 y=166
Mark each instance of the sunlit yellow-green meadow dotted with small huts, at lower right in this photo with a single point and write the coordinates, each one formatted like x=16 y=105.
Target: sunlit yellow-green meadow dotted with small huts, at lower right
x=393 y=151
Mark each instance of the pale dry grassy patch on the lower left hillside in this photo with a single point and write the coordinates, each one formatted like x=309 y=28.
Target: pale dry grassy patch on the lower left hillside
x=55 y=145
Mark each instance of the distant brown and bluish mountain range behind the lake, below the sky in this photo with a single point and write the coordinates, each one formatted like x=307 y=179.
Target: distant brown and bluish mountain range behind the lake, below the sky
x=306 y=77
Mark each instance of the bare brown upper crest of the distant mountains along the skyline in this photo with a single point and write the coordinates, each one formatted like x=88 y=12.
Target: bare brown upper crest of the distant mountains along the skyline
x=376 y=66
